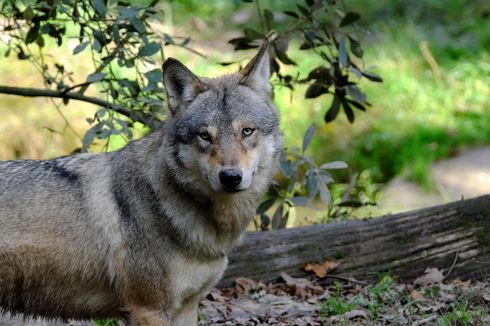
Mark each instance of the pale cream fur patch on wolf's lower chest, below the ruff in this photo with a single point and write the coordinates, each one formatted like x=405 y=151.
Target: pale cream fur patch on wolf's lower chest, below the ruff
x=192 y=279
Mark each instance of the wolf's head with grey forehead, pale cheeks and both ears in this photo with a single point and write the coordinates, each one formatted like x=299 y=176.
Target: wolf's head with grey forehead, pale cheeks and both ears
x=223 y=132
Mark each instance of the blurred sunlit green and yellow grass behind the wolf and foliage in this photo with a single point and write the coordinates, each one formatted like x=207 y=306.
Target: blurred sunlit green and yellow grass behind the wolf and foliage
x=422 y=112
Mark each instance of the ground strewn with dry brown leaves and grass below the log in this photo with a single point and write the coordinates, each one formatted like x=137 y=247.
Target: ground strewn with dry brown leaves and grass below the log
x=297 y=301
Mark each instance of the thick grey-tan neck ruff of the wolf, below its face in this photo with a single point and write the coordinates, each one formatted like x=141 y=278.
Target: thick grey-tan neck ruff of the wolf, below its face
x=206 y=225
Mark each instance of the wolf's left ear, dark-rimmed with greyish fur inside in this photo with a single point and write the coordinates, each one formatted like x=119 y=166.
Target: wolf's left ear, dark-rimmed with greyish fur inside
x=180 y=83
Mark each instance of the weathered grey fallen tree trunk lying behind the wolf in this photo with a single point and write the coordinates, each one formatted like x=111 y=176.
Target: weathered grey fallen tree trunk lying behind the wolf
x=455 y=235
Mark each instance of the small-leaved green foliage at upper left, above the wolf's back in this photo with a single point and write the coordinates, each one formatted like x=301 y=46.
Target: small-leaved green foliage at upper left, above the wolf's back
x=118 y=36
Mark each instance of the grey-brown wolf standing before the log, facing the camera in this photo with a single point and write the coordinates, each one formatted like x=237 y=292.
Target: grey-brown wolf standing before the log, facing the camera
x=142 y=234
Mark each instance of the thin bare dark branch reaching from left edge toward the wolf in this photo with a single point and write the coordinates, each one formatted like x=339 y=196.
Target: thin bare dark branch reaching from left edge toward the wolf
x=36 y=92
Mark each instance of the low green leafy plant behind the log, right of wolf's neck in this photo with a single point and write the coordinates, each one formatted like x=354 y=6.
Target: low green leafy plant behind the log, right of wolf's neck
x=303 y=182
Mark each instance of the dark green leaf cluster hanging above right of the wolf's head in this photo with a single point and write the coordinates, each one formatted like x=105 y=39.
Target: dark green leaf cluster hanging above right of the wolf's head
x=320 y=26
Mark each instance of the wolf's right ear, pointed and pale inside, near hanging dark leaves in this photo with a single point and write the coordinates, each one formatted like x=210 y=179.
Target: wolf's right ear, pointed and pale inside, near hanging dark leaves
x=257 y=72
